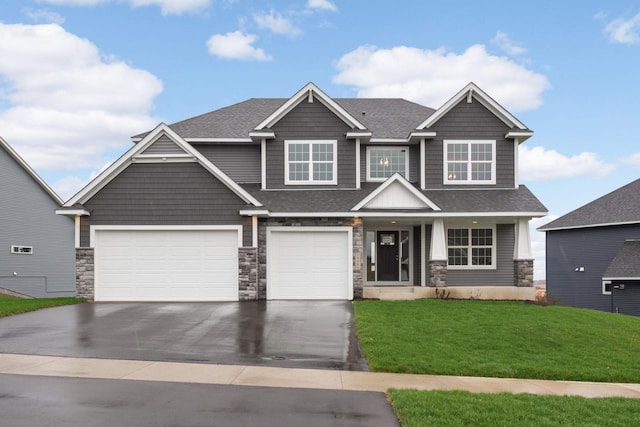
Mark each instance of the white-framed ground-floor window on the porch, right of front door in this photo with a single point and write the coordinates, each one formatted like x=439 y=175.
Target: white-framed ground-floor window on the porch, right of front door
x=470 y=247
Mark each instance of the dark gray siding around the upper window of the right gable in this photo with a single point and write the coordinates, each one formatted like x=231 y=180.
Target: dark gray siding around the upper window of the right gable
x=470 y=121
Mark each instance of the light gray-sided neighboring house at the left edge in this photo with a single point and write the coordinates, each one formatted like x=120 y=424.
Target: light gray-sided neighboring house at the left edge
x=37 y=258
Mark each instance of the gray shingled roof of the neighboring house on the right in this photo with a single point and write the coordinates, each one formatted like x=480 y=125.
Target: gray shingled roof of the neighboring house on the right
x=621 y=206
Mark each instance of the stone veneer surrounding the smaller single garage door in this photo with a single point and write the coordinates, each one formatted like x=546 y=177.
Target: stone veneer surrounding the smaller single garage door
x=358 y=245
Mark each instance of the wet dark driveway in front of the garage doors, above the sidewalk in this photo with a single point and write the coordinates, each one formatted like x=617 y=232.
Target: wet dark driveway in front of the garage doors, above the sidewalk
x=292 y=334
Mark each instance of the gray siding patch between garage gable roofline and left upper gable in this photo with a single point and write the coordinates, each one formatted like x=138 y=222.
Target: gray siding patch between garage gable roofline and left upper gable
x=241 y=162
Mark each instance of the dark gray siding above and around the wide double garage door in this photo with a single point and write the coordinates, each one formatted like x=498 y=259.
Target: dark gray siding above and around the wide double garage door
x=165 y=194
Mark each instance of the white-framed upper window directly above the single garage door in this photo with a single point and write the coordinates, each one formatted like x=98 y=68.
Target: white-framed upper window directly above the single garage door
x=310 y=162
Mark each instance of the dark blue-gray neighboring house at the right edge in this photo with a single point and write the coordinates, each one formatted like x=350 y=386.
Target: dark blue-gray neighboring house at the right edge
x=593 y=253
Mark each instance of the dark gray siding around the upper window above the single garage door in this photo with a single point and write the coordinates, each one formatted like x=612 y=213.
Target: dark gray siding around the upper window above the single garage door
x=310 y=121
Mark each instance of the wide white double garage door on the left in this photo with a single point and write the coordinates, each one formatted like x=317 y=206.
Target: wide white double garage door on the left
x=166 y=265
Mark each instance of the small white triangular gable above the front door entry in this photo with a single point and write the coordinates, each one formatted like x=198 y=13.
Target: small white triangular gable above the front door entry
x=411 y=196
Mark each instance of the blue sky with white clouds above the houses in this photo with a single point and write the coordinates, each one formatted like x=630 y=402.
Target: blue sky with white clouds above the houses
x=78 y=77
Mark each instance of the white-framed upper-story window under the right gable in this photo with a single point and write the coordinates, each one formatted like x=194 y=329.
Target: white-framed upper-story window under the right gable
x=470 y=162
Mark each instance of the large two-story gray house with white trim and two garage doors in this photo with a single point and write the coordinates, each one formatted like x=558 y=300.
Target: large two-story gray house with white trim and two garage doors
x=311 y=197
